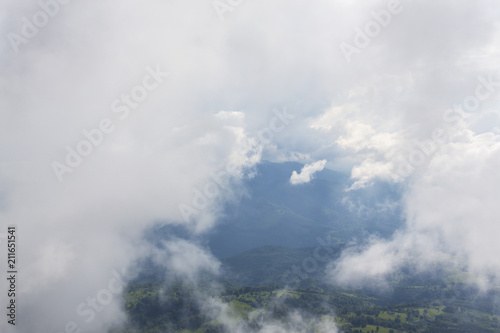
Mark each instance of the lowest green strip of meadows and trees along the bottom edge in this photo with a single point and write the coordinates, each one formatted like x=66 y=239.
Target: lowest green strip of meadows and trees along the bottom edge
x=172 y=307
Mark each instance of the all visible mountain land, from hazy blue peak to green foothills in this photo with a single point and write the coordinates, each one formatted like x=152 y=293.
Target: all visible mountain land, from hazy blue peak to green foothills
x=270 y=243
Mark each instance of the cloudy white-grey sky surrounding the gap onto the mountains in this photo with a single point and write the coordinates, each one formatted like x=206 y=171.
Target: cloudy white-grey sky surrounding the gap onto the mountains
x=115 y=115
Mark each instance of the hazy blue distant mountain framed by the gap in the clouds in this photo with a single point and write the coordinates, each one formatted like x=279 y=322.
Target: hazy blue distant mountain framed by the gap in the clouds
x=276 y=212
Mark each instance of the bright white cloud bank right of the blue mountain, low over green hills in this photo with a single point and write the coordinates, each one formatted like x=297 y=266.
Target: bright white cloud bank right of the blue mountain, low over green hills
x=451 y=218
